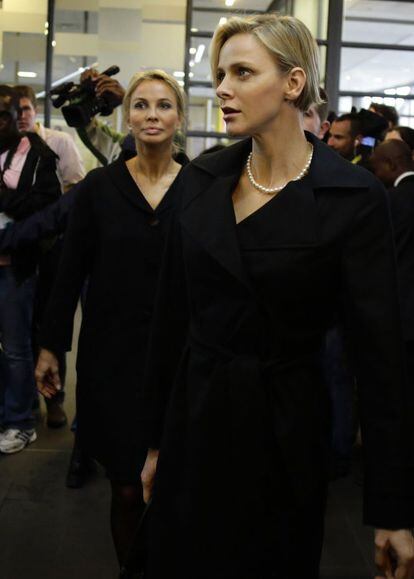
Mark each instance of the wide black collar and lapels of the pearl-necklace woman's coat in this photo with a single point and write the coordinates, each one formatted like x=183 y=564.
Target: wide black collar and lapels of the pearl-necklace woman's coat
x=292 y=215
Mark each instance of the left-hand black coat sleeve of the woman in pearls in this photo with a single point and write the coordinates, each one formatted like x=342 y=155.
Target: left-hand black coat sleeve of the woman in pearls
x=168 y=335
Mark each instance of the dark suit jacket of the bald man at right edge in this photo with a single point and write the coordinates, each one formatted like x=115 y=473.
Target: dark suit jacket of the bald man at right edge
x=402 y=212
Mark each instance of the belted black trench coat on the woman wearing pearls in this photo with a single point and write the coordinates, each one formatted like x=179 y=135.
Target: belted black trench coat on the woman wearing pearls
x=243 y=429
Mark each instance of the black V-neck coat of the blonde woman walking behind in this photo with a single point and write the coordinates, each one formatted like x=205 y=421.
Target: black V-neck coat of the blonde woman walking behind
x=115 y=239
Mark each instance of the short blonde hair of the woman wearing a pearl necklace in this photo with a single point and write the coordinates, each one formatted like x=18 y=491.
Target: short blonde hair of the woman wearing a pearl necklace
x=287 y=39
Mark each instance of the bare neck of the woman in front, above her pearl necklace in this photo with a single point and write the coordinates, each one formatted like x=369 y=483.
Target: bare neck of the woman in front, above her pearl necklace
x=280 y=152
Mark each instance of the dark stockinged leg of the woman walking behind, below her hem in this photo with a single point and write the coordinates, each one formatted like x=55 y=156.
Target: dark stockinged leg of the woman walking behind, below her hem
x=127 y=506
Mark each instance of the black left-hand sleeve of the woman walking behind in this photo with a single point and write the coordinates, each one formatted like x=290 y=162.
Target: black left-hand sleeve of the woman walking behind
x=75 y=264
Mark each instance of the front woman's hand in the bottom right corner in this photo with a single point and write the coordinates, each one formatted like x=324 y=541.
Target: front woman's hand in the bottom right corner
x=394 y=554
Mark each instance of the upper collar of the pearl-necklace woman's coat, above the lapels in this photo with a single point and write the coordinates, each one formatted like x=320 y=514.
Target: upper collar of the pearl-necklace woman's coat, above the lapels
x=328 y=169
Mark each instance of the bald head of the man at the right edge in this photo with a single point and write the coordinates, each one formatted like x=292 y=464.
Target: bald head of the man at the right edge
x=390 y=160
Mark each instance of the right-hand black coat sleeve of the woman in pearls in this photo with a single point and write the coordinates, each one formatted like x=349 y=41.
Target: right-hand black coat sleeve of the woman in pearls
x=372 y=318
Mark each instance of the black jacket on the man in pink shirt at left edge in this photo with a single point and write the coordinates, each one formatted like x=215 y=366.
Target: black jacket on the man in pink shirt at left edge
x=38 y=186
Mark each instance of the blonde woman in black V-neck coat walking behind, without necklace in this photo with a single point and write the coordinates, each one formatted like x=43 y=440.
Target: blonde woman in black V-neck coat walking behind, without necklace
x=115 y=237
